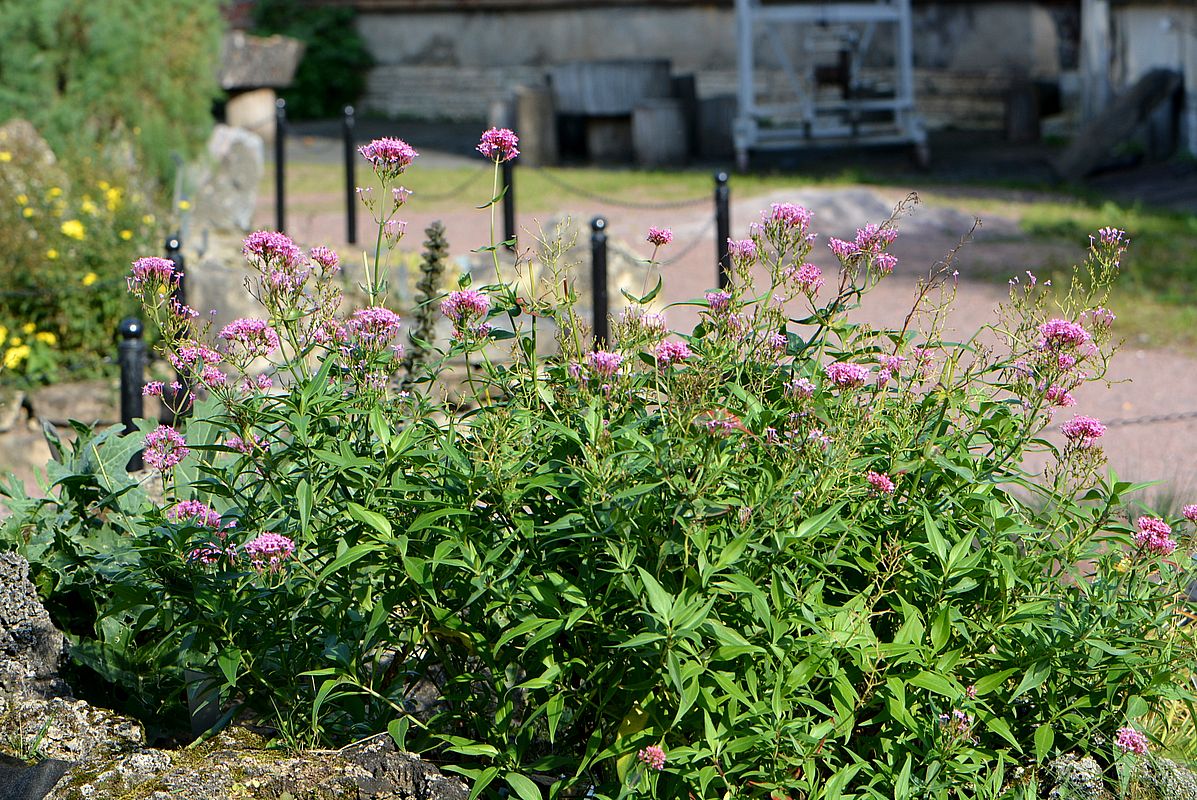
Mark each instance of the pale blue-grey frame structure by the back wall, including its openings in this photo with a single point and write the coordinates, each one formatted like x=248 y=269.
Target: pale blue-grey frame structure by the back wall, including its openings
x=841 y=74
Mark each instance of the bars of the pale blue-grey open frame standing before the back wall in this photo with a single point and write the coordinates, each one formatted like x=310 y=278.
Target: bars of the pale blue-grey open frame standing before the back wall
x=810 y=120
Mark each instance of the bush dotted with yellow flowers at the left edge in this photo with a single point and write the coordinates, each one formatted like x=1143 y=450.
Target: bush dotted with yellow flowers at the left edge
x=64 y=250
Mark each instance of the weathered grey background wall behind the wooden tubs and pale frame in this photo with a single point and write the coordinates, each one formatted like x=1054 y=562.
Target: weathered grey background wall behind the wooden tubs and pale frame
x=455 y=65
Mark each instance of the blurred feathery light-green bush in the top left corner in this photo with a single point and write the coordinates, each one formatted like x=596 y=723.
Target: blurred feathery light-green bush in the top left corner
x=121 y=75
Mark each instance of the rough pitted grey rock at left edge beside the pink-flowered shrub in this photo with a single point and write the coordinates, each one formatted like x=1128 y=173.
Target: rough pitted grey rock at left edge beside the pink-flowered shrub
x=31 y=647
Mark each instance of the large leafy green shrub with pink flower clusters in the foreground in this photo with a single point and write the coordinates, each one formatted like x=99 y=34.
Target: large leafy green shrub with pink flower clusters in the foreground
x=785 y=555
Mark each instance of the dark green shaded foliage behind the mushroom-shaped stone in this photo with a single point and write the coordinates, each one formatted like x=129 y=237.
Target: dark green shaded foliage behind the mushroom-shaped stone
x=333 y=71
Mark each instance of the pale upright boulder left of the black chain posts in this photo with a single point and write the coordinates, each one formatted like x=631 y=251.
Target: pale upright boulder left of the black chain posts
x=228 y=184
